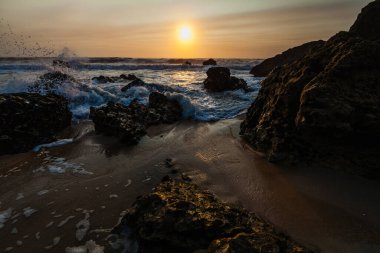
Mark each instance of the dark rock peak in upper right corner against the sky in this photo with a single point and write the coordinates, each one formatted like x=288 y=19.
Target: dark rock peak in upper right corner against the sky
x=367 y=25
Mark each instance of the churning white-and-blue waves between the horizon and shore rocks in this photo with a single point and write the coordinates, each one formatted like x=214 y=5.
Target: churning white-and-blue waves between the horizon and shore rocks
x=183 y=85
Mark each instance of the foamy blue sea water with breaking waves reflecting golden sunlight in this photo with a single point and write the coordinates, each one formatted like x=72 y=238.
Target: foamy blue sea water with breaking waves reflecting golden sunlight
x=181 y=83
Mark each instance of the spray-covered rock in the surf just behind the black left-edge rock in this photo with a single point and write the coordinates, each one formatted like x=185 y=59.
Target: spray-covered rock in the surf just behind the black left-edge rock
x=50 y=81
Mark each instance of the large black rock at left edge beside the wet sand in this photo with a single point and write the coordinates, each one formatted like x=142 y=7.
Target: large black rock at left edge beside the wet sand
x=28 y=119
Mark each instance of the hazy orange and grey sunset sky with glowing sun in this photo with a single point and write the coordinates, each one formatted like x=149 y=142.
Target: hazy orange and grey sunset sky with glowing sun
x=152 y=28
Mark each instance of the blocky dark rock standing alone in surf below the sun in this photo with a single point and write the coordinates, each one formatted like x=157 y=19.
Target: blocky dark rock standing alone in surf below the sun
x=219 y=79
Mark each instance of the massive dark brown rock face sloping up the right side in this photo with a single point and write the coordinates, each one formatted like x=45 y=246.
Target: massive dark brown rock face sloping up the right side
x=324 y=107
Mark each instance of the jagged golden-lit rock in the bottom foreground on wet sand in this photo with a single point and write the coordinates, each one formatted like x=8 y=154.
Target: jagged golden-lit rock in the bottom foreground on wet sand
x=181 y=217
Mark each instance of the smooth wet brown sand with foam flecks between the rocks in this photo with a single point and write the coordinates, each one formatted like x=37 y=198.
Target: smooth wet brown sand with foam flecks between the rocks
x=322 y=209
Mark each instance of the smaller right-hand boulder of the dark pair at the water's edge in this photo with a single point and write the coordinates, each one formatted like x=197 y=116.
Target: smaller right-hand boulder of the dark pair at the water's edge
x=170 y=111
